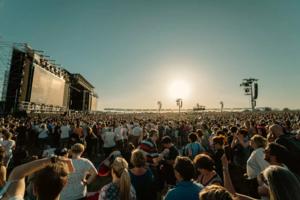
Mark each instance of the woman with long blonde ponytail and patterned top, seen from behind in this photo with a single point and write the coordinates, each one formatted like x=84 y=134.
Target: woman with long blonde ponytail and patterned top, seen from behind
x=120 y=188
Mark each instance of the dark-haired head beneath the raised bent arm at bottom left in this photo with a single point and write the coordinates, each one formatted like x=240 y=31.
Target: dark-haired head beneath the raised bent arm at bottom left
x=53 y=175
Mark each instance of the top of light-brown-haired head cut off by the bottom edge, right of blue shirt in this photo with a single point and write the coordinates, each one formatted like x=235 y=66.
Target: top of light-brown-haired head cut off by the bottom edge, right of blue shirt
x=215 y=192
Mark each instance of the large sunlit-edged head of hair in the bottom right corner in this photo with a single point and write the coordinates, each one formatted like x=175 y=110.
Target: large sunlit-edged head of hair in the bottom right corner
x=282 y=183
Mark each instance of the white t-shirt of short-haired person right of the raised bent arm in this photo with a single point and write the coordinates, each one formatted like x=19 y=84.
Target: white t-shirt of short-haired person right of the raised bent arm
x=74 y=188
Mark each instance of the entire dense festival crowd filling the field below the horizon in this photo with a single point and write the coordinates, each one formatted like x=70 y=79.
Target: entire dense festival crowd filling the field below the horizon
x=195 y=156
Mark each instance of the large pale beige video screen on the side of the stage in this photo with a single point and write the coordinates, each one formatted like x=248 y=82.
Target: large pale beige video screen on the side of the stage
x=47 y=88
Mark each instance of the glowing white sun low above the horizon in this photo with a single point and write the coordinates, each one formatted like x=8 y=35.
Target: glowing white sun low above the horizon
x=179 y=89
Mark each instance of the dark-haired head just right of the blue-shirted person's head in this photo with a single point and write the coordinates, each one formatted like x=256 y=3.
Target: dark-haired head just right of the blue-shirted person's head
x=204 y=163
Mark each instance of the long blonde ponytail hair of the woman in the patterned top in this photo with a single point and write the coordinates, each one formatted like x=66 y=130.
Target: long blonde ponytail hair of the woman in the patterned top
x=120 y=169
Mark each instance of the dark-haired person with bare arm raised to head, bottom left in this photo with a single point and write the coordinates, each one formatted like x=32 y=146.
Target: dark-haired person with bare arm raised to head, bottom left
x=50 y=179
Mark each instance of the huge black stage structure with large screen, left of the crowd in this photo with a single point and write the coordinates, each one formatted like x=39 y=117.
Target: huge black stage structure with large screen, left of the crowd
x=37 y=84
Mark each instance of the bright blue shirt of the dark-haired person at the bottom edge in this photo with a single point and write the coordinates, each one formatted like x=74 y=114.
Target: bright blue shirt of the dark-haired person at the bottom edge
x=184 y=190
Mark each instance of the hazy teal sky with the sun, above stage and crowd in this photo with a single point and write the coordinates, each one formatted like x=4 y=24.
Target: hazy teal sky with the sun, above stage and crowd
x=138 y=52
